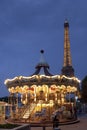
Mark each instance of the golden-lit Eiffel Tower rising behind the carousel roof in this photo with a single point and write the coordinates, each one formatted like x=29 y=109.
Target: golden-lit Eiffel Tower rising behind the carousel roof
x=67 y=69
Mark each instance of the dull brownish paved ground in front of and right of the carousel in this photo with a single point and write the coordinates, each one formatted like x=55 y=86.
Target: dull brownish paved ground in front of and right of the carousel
x=82 y=125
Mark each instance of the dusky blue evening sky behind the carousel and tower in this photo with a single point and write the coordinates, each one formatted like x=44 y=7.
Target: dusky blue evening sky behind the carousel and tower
x=27 y=26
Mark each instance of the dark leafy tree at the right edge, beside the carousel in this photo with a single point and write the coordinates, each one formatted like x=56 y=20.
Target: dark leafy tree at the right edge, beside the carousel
x=84 y=89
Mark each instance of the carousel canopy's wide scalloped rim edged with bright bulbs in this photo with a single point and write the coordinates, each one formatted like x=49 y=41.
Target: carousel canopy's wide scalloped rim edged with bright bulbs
x=42 y=79
